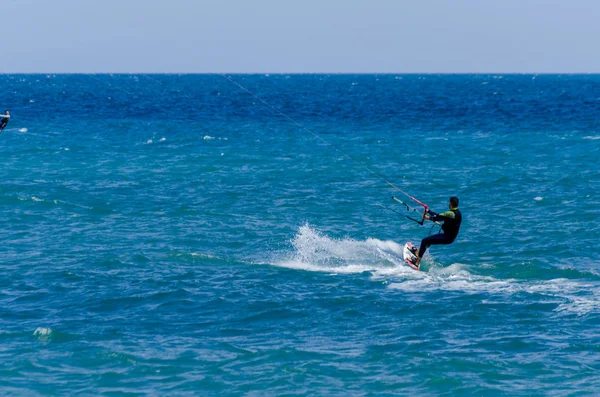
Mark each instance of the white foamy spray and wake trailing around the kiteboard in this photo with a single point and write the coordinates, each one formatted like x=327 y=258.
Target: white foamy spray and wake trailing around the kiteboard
x=314 y=251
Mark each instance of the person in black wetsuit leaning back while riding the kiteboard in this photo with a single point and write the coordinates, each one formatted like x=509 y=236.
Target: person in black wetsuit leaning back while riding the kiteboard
x=451 y=225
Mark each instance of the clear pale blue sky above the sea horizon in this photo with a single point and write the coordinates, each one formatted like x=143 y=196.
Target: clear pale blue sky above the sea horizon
x=300 y=36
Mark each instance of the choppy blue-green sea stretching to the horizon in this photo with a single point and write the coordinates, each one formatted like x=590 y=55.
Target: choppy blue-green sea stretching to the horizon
x=190 y=235
